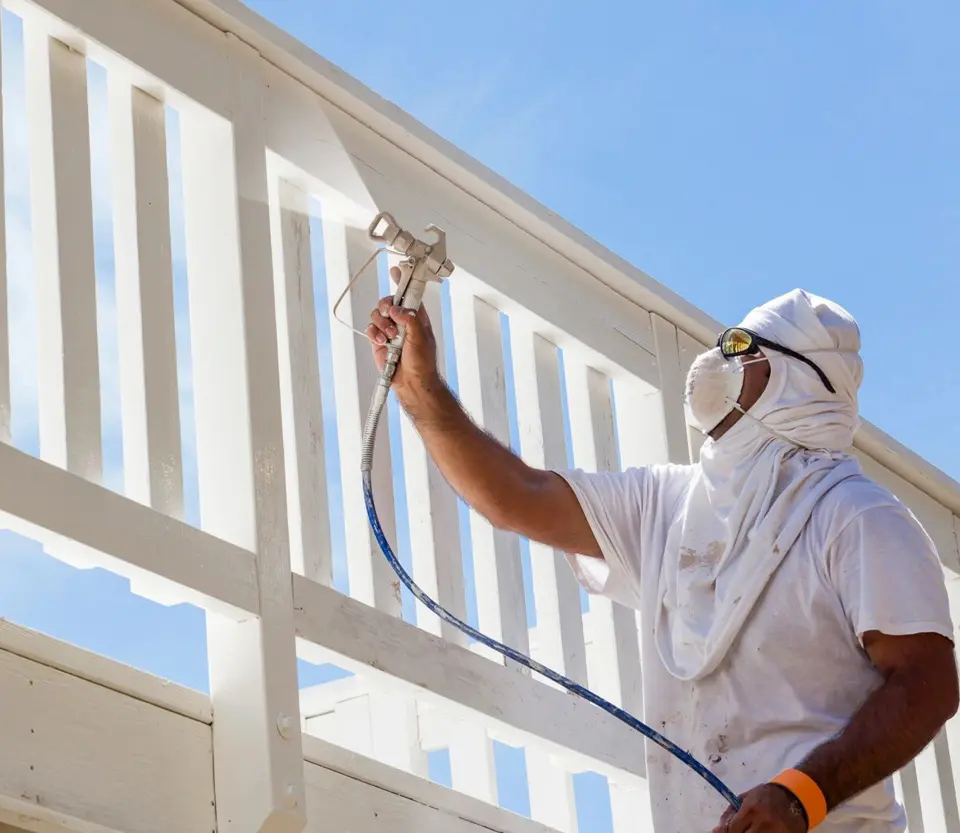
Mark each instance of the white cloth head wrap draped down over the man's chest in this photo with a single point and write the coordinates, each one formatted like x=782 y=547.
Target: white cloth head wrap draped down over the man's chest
x=759 y=483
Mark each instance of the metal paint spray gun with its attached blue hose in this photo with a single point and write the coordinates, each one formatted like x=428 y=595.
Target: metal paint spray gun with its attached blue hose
x=423 y=263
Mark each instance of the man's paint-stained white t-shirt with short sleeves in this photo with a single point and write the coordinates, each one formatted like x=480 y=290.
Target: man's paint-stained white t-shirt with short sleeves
x=798 y=671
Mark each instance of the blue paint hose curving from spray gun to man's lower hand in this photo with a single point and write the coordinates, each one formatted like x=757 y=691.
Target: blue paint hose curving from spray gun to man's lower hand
x=369 y=439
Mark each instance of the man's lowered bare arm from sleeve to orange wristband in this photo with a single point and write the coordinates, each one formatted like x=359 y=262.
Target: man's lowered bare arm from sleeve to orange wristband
x=896 y=722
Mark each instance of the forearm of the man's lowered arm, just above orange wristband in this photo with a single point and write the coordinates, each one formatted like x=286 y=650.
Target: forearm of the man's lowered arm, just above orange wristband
x=891 y=728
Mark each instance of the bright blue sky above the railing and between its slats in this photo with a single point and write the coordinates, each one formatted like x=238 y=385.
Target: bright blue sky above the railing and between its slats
x=733 y=151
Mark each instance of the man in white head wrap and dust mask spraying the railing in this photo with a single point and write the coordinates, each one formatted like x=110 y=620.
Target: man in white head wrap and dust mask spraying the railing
x=796 y=634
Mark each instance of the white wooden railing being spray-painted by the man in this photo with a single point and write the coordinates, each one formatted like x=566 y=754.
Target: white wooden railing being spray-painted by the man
x=284 y=162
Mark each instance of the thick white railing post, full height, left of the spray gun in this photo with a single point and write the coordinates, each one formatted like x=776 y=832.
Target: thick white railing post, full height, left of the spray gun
x=253 y=668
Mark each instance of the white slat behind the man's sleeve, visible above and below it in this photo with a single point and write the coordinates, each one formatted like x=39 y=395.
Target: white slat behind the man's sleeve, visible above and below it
x=614 y=627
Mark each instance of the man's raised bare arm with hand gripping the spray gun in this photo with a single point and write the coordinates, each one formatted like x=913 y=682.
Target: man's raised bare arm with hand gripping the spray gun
x=489 y=477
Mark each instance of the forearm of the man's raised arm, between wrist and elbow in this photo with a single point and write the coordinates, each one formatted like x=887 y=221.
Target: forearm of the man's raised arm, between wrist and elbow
x=488 y=476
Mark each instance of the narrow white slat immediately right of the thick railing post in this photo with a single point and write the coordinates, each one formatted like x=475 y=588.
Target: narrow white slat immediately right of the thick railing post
x=310 y=547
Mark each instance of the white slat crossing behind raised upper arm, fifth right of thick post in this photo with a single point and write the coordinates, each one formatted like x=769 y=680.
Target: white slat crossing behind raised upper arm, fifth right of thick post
x=542 y=444
